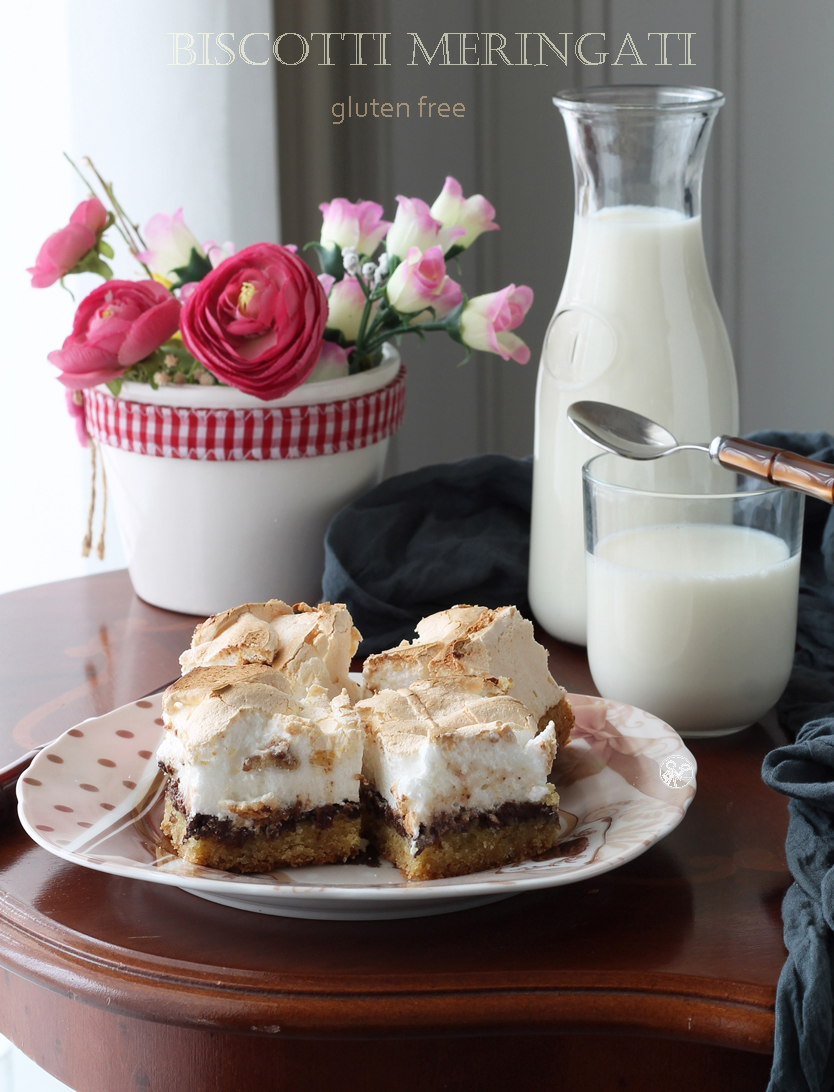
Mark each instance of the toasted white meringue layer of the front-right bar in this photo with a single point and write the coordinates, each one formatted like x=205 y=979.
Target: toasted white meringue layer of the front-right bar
x=445 y=746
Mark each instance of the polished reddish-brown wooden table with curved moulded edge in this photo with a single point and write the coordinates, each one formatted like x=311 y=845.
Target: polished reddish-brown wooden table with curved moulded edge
x=661 y=975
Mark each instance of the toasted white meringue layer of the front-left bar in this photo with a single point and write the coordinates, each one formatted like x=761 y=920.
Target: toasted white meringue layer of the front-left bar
x=242 y=745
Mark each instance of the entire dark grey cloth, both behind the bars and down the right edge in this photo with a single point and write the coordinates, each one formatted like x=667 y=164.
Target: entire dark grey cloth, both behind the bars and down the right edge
x=460 y=533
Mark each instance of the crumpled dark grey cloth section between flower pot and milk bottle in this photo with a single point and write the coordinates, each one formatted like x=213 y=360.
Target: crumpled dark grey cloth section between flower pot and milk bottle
x=425 y=541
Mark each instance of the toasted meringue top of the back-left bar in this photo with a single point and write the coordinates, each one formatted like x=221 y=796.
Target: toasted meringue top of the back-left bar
x=311 y=646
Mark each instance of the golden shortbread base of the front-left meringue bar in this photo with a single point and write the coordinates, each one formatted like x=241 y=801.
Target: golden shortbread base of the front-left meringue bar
x=305 y=846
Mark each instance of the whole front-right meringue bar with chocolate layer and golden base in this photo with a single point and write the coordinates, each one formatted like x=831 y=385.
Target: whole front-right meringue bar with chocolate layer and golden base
x=456 y=778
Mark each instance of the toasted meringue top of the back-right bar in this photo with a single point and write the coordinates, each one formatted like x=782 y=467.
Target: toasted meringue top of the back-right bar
x=468 y=640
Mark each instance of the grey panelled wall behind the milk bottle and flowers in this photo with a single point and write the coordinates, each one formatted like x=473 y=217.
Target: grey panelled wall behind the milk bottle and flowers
x=768 y=222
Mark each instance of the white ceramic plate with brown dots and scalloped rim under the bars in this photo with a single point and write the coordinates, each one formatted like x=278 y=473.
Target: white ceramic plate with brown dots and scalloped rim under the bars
x=96 y=796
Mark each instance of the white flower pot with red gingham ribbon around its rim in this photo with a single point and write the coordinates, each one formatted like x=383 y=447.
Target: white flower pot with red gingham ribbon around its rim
x=224 y=500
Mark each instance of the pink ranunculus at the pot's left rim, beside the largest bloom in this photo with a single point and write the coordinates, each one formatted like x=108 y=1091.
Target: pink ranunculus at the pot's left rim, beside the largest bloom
x=116 y=326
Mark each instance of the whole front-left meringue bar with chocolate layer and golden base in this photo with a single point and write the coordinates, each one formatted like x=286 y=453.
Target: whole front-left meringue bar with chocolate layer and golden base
x=257 y=779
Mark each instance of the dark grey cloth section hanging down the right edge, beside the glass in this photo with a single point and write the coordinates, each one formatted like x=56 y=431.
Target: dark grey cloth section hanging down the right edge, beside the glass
x=804 y=1057
